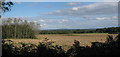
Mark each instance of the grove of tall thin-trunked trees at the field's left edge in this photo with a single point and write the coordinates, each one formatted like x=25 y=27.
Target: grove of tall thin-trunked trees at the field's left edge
x=17 y=28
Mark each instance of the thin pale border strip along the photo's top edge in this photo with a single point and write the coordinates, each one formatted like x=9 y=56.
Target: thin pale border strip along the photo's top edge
x=64 y=0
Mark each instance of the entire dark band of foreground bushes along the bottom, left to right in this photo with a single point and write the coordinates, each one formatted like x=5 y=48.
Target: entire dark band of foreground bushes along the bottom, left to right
x=45 y=49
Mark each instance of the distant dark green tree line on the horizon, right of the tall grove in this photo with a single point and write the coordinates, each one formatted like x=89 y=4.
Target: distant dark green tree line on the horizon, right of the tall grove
x=110 y=30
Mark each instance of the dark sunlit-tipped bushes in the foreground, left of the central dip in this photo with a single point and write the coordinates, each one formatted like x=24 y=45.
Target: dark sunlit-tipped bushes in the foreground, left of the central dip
x=44 y=49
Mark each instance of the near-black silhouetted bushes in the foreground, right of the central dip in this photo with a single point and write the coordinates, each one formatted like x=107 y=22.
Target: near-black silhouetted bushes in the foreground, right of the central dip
x=110 y=48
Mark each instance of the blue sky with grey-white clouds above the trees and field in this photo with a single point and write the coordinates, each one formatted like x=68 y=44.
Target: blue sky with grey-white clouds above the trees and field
x=67 y=15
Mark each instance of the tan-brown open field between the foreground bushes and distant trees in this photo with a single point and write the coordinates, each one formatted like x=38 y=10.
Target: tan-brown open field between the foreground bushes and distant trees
x=67 y=40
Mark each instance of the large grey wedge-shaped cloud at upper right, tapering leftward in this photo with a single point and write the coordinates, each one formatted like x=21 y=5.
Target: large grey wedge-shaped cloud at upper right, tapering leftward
x=92 y=9
